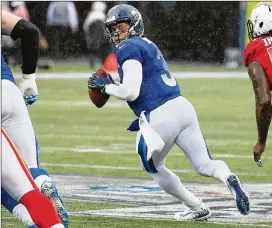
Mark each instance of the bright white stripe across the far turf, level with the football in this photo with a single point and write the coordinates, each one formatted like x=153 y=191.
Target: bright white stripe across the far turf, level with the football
x=179 y=75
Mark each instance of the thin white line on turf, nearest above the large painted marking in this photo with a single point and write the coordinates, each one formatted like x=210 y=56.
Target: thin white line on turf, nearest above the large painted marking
x=135 y=168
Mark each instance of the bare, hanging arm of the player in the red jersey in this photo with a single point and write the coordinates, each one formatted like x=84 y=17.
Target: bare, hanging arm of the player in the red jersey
x=262 y=92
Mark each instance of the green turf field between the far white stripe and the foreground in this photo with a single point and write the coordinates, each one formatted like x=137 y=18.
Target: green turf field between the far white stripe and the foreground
x=73 y=132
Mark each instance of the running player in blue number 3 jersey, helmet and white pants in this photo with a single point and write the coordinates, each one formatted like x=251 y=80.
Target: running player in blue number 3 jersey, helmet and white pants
x=165 y=117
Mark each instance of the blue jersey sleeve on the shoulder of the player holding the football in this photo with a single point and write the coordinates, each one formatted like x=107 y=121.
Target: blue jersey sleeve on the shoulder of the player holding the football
x=128 y=51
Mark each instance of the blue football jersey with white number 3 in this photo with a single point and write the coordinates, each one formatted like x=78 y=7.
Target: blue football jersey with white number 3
x=158 y=85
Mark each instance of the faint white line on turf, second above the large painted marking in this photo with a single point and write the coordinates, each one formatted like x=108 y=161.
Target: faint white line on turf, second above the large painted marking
x=131 y=151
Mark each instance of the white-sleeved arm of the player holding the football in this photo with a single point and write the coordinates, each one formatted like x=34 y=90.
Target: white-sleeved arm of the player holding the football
x=132 y=79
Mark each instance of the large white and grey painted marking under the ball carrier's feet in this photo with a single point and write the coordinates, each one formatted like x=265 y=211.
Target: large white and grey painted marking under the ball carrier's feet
x=158 y=205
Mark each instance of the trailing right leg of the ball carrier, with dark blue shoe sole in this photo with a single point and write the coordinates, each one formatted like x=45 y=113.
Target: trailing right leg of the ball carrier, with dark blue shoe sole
x=192 y=142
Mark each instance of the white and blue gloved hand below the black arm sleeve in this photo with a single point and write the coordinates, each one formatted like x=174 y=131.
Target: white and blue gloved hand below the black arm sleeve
x=29 y=88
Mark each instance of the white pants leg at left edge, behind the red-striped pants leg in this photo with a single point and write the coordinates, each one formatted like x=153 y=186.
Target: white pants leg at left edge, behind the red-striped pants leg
x=17 y=123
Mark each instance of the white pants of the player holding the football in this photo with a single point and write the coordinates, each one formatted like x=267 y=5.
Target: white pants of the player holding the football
x=176 y=122
